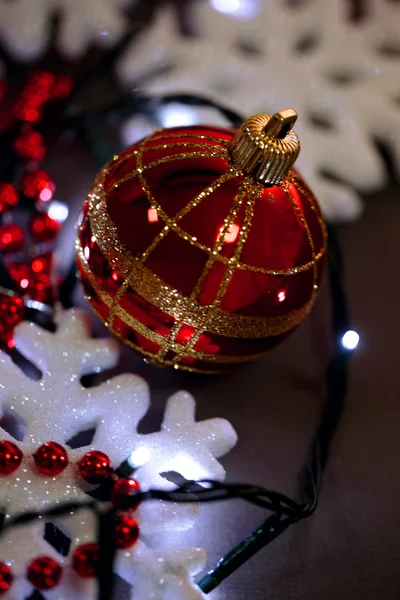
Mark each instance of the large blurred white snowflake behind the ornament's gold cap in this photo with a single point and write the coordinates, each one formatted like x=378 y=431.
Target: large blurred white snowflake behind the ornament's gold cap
x=259 y=56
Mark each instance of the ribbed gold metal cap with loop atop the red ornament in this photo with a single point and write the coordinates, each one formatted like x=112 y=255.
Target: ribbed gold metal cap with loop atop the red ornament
x=266 y=147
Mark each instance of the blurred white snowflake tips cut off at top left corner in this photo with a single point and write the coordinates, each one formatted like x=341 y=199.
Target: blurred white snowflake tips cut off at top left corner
x=25 y=25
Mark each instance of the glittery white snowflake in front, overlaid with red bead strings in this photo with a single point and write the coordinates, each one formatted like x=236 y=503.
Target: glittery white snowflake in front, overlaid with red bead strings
x=57 y=407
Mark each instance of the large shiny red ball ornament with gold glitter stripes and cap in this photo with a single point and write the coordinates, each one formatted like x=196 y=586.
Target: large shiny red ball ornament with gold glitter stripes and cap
x=200 y=247
